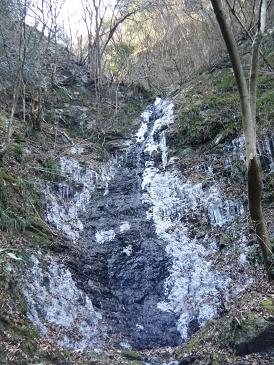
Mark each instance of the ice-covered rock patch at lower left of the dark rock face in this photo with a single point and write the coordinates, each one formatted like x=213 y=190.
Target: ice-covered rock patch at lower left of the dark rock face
x=58 y=308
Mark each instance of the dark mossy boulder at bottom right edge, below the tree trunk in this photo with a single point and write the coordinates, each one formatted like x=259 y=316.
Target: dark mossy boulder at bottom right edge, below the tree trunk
x=254 y=334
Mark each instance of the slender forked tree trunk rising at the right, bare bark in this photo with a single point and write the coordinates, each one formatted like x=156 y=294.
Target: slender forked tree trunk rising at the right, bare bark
x=248 y=109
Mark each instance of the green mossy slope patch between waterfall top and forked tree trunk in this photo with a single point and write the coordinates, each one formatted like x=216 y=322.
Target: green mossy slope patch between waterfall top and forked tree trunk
x=208 y=107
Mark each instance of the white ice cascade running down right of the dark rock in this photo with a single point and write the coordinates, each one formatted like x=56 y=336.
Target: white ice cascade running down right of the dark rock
x=194 y=289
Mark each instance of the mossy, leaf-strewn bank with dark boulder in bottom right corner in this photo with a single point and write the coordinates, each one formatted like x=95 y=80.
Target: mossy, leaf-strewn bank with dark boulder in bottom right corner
x=228 y=336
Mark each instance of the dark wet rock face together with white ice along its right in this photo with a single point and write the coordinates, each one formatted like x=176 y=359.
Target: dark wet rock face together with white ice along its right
x=139 y=260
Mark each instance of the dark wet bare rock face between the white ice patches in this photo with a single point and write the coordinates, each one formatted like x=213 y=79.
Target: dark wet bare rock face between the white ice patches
x=133 y=266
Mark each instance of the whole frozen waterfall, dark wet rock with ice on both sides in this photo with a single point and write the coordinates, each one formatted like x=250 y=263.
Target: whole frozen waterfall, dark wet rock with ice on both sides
x=148 y=242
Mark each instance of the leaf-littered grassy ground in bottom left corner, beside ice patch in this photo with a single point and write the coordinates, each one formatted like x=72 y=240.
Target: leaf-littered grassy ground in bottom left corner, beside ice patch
x=20 y=342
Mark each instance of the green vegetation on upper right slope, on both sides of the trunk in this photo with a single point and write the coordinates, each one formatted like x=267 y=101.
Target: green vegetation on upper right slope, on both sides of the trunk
x=210 y=106
